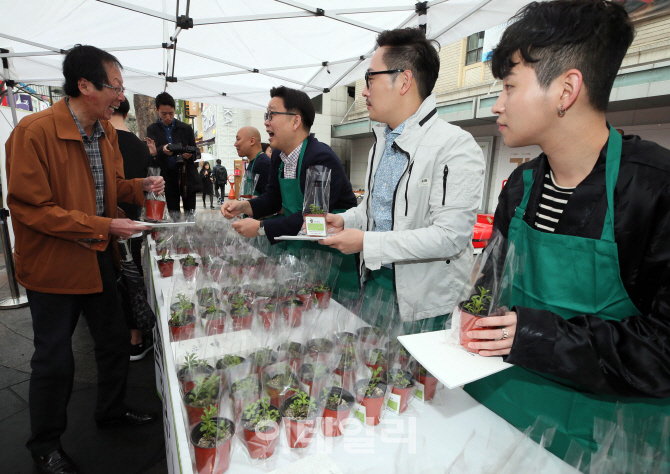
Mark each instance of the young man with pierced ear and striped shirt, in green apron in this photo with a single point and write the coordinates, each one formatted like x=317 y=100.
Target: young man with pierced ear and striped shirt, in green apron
x=589 y=324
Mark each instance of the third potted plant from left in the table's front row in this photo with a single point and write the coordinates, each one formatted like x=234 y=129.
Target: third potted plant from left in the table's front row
x=299 y=413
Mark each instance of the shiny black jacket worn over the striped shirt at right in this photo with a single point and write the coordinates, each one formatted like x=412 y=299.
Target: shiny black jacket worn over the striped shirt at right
x=629 y=357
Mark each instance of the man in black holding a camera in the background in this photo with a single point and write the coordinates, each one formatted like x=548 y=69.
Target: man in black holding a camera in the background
x=176 y=150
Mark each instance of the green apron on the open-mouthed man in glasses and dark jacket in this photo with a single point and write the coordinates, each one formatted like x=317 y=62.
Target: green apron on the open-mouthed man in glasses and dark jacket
x=292 y=202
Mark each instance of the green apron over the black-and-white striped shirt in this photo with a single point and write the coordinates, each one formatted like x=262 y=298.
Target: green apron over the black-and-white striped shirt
x=589 y=284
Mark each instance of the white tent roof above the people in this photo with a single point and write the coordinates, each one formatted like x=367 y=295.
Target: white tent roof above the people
x=237 y=49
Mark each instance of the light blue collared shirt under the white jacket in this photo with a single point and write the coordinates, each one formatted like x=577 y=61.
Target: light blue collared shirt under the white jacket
x=391 y=167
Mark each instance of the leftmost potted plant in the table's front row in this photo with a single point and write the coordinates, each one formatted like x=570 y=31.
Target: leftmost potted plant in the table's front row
x=211 y=440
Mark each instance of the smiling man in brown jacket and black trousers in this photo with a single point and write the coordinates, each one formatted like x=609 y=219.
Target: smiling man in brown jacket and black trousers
x=65 y=177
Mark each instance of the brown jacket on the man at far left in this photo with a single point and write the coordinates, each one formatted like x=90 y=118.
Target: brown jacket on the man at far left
x=51 y=197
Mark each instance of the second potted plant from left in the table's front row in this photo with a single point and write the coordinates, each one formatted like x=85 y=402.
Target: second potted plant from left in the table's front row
x=260 y=421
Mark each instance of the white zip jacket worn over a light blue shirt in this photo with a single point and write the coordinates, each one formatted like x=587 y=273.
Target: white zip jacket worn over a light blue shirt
x=434 y=212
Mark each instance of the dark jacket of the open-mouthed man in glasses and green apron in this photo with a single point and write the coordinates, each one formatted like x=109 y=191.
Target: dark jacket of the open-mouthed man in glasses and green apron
x=316 y=153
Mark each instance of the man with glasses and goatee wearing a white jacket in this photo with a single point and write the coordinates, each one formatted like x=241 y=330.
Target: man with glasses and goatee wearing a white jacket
x=415 y=223
